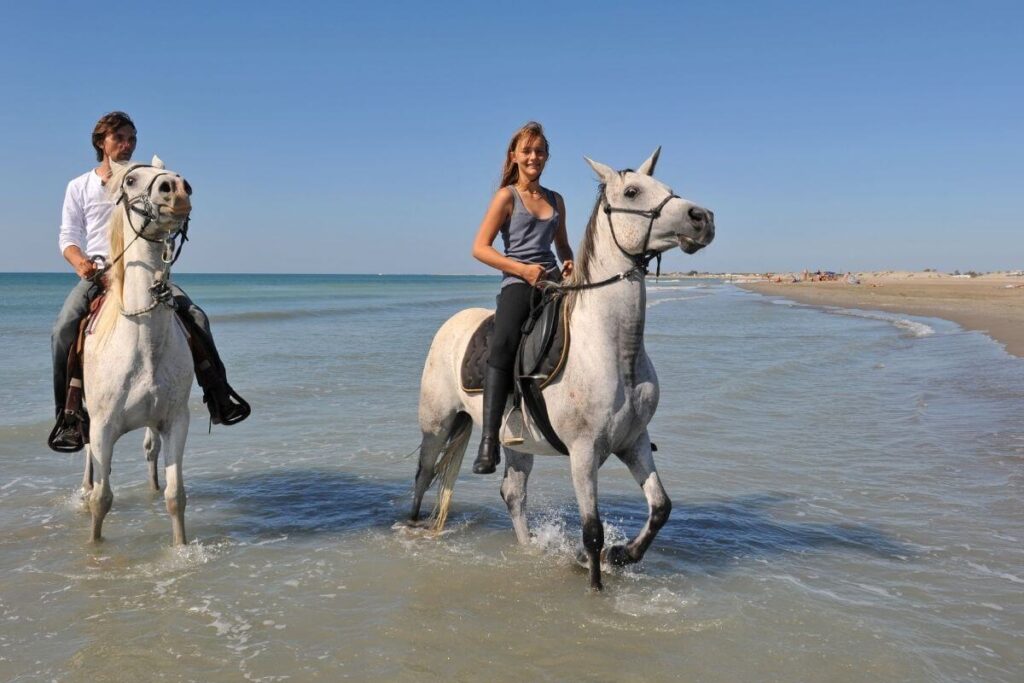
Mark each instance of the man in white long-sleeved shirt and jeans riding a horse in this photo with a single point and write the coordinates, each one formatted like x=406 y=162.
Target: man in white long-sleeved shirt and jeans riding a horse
x=83 y=237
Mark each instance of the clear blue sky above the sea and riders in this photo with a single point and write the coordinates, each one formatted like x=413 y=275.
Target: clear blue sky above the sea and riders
x=368 y=138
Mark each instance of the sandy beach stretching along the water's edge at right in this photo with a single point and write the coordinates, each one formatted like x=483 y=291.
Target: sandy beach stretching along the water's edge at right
x=992 y=304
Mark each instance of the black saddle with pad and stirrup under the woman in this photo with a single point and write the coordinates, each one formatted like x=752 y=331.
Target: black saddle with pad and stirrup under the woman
x=540 y=360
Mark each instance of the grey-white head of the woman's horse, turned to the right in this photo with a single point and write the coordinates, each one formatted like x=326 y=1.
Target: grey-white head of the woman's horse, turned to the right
x=647 y=218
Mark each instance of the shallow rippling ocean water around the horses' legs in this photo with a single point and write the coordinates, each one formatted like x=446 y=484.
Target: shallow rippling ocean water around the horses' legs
x=847 y=493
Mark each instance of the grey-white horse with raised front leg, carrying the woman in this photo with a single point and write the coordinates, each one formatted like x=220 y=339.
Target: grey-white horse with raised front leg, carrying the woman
x=608 y=392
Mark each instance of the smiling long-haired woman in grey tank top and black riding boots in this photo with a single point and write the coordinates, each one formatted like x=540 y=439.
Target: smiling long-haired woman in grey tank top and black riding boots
x=530 y=219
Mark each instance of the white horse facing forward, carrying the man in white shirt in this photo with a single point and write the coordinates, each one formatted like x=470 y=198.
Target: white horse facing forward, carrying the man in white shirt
x=138 y=364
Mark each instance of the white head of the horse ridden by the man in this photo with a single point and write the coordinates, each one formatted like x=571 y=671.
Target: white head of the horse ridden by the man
x=157 y=202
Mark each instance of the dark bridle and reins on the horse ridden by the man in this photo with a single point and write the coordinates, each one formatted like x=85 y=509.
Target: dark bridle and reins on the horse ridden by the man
x=143 y=206
